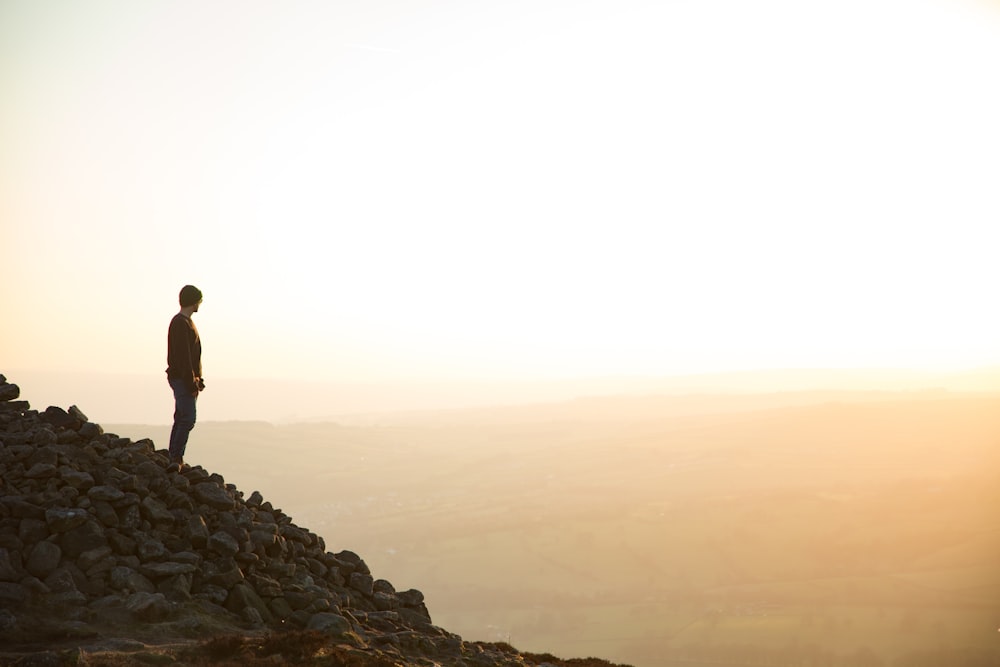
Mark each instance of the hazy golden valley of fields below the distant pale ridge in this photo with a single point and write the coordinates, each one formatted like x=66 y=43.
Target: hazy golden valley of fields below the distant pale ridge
x=799 y=528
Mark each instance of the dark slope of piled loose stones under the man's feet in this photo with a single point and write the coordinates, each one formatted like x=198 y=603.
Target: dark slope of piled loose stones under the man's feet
x=108 y=558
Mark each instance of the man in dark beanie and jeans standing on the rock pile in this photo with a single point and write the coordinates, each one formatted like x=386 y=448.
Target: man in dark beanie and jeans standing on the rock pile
x=184 y=372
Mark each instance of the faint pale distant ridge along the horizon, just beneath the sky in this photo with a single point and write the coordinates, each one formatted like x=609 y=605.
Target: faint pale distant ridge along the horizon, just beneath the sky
x=146 y=399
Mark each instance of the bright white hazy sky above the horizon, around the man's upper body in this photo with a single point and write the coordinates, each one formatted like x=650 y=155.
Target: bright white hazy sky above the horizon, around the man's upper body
x=374 y=189
